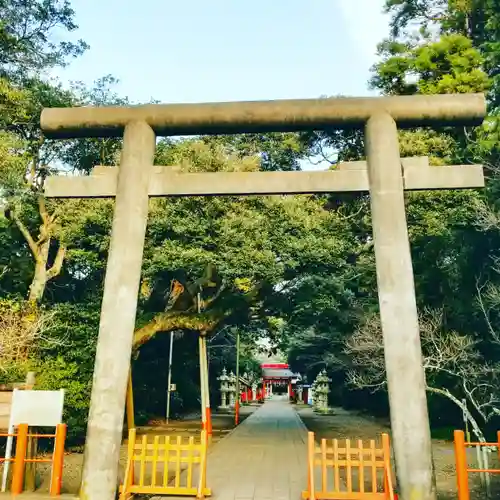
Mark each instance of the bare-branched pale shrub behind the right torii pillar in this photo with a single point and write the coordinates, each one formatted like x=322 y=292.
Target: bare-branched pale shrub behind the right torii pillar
x=452 y=363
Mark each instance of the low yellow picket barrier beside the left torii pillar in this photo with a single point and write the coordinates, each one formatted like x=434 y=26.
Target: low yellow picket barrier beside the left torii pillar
x=165 y=466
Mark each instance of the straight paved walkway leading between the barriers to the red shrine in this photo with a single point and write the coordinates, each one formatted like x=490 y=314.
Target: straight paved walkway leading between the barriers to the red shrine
x=262 y=459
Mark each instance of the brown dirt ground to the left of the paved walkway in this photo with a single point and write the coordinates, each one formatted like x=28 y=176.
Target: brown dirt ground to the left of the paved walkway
x=190 y=426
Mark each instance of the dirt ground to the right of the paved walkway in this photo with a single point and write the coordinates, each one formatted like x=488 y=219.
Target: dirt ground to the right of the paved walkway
x=348 y=424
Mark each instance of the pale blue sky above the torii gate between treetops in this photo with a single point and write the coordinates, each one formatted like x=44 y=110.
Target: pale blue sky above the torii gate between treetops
x=228 y=50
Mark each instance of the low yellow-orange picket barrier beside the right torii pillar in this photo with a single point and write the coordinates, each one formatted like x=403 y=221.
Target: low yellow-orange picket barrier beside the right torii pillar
x=336 y=464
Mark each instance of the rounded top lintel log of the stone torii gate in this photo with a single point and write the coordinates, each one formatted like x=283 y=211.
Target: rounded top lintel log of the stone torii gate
x=263 y=116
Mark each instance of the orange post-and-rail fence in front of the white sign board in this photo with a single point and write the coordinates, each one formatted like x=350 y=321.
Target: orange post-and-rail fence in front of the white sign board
x=22 y=435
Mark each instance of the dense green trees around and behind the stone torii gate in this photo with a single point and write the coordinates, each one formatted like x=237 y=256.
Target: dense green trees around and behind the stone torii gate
x=298 y=270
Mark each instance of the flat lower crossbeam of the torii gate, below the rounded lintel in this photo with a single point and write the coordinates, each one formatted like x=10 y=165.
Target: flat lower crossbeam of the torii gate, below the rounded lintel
x=350 y=177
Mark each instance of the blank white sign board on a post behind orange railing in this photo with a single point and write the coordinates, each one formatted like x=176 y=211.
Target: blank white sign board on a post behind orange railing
x=35 y=408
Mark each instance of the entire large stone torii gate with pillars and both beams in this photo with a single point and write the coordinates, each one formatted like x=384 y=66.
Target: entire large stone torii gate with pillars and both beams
x=385 y=175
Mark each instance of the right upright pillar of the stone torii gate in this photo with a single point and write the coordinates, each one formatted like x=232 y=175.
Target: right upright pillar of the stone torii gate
x=398 y=311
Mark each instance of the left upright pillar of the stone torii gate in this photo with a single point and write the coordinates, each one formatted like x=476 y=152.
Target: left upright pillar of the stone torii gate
x=116 y=328
